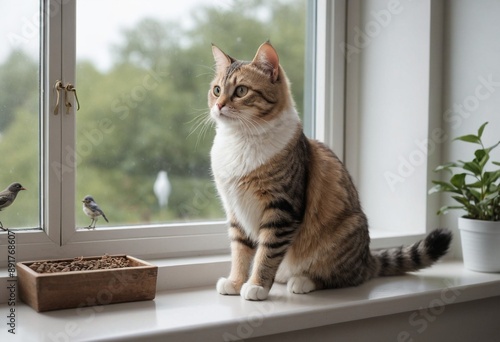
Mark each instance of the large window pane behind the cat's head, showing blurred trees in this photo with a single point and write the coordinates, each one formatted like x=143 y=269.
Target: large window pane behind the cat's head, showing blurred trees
x=143 y=71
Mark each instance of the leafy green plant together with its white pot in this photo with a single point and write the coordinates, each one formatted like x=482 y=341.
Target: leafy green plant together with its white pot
x=477 y=191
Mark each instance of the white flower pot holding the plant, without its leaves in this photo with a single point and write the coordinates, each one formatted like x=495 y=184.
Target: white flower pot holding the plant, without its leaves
x=480 y=244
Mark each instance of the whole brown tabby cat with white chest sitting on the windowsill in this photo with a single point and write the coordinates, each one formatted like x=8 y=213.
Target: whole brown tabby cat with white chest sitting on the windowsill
x=294 y=213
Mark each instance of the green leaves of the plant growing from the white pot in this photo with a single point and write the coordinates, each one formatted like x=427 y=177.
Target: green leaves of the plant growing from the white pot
x=481 y=197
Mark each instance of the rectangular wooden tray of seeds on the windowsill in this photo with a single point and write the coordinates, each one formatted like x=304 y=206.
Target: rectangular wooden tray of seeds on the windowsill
x=64 y=290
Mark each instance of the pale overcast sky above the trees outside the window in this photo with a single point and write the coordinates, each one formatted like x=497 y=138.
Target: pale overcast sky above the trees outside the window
x=99 y=23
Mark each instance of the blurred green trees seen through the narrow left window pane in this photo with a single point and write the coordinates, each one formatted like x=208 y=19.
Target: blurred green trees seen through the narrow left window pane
x=19 y=138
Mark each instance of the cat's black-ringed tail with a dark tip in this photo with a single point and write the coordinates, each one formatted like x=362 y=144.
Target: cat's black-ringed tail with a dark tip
x=422 y=254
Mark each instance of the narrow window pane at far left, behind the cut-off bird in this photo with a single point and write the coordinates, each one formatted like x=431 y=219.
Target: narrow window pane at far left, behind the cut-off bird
x=19 y=110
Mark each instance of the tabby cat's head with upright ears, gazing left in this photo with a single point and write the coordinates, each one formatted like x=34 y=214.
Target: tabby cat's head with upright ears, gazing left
x=249 y=95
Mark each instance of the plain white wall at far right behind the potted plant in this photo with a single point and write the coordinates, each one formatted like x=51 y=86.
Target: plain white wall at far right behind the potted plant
x=471 y=56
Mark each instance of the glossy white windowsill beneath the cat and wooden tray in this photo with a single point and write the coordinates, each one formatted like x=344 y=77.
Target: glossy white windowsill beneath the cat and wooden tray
x=202 y=314
